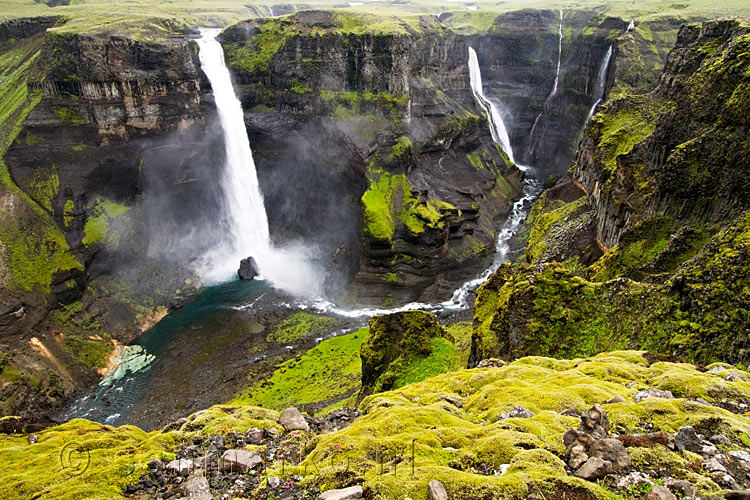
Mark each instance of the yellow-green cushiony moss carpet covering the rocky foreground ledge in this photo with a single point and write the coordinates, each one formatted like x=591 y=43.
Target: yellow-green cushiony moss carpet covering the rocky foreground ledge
x=450 y=427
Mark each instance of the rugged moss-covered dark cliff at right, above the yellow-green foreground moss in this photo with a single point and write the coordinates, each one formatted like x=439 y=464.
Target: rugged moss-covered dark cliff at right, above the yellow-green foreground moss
x=659 y=185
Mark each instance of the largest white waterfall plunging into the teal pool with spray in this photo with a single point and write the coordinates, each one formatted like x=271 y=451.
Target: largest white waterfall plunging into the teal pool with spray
x=244 y=224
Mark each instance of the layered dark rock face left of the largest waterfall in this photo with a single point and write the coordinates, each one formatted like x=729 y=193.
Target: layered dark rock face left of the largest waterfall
x=112 y=162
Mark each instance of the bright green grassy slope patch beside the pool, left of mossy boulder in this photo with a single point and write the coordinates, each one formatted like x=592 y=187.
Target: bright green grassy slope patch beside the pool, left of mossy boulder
x=327 y=373
